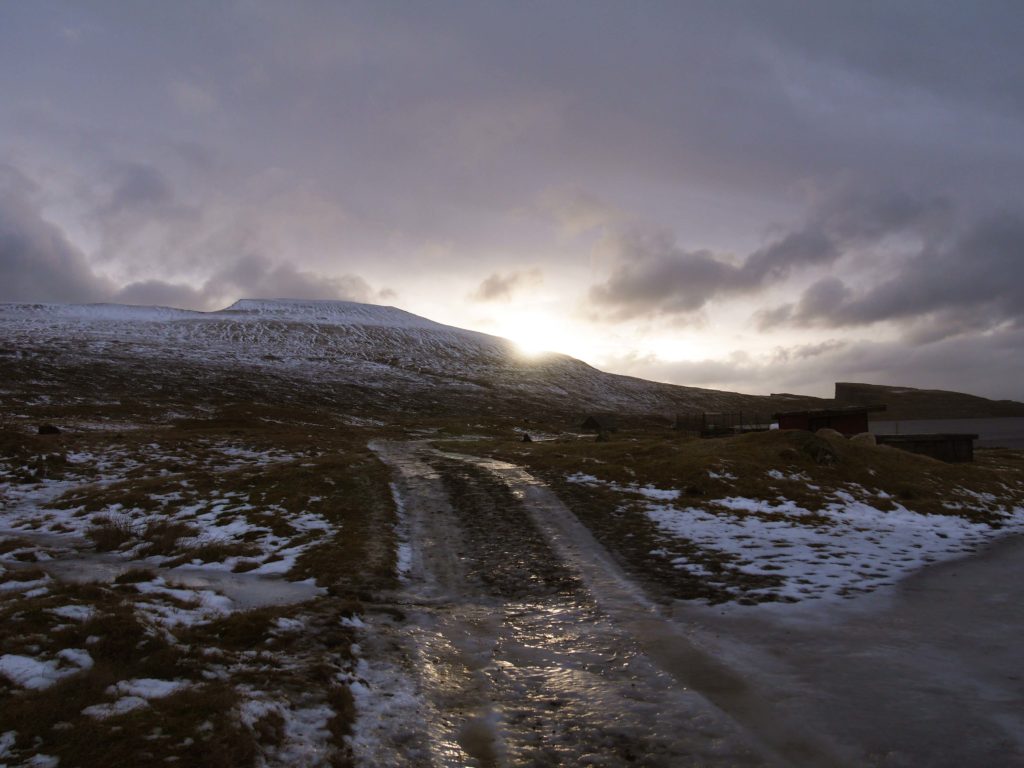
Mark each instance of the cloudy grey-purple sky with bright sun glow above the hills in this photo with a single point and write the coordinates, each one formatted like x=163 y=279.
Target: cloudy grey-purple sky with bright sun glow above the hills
x=760 y=197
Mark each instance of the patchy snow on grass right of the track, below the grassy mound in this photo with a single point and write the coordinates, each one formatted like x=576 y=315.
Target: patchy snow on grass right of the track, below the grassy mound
x=848 y=546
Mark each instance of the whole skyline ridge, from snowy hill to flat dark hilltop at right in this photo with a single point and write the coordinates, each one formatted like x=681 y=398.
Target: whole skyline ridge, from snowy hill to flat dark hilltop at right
x=380 y=358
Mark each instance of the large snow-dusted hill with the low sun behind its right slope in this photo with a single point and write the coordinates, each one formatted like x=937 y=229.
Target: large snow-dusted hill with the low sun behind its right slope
x=342 y=346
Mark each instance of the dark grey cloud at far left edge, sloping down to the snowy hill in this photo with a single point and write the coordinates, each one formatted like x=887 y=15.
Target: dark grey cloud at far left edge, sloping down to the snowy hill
x=37 y=261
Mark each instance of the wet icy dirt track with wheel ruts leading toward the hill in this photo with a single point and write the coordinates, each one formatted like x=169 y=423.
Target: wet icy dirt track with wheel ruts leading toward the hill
x=531 y=648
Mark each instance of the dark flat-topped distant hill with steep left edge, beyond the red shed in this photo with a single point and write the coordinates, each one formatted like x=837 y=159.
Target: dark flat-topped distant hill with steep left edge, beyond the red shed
x=908 y=403
